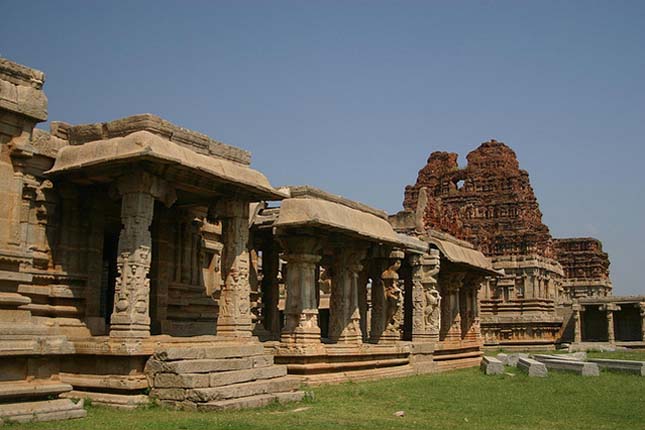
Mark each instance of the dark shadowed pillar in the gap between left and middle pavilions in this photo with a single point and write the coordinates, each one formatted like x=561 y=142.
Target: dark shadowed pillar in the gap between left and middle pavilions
x=271 y=288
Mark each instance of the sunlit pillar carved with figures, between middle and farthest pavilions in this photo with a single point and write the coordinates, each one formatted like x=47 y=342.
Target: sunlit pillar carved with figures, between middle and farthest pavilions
x=426 y=301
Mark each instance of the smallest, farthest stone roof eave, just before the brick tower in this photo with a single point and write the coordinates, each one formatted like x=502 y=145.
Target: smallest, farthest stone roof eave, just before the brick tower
x=462 y=253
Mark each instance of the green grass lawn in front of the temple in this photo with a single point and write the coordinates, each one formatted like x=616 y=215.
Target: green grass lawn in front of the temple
x=464 y=399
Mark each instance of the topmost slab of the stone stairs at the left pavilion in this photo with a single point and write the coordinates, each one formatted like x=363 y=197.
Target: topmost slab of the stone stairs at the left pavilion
x=226 y=350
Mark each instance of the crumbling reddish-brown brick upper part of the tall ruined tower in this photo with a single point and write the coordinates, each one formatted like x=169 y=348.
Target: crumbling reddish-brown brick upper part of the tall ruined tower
x=489 y=203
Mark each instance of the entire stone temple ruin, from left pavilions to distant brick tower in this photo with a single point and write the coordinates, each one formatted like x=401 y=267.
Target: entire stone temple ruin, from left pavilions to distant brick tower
x=143 y=261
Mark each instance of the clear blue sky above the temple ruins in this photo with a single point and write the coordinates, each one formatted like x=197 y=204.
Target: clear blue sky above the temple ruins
x=353 y=96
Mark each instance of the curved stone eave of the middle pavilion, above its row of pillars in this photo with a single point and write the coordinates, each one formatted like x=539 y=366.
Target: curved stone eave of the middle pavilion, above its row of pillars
x=322 y=215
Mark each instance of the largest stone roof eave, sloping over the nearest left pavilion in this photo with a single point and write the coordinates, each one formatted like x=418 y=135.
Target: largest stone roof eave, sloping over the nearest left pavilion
x=102 y=160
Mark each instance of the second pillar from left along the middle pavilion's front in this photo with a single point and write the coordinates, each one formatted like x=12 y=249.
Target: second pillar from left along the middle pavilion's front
x=344 y=315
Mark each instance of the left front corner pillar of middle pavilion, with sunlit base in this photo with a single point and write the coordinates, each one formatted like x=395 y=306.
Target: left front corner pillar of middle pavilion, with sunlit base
x=301 y=313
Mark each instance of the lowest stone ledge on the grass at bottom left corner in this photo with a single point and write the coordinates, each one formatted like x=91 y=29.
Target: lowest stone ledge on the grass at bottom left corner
x=45 y=410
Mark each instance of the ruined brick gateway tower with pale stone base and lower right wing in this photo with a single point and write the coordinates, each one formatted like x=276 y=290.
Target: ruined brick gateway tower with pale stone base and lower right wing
x=491 y=204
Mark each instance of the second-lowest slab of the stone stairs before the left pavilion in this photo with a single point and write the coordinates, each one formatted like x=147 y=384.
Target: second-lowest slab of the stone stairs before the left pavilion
x=245 y=389
